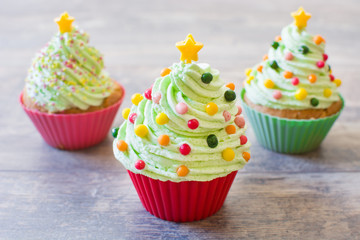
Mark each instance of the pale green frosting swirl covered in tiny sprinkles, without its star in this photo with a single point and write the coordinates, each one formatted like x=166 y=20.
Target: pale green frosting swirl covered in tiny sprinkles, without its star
x=68 y=73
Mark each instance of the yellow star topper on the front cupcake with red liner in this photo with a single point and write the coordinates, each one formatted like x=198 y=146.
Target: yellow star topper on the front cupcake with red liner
x=189 y=49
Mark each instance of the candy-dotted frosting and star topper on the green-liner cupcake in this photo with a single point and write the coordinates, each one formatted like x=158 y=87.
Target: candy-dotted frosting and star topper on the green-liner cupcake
x=295 y=73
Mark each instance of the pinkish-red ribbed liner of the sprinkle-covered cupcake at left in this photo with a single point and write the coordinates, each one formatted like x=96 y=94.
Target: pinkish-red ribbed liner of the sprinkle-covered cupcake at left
x=73 y=131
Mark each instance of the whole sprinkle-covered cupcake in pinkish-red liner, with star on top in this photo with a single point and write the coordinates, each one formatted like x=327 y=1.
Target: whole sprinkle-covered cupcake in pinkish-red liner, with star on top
x=68 y=95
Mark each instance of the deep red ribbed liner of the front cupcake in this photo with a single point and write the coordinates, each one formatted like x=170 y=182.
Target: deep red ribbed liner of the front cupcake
x=182 y=201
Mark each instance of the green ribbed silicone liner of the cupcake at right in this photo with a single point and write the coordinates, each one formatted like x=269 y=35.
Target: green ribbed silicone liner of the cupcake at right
x=288 y=135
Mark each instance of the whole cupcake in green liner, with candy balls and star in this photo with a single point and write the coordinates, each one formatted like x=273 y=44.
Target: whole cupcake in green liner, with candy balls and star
x=291 y=97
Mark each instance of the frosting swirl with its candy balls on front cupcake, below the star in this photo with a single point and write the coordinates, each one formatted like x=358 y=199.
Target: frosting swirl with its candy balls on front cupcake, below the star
x=185 y=127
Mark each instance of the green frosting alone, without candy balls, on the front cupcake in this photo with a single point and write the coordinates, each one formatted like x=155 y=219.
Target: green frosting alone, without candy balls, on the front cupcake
x=184 y=85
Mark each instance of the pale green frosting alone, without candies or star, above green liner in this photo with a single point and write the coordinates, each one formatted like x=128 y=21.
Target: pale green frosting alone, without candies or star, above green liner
x=302 y=65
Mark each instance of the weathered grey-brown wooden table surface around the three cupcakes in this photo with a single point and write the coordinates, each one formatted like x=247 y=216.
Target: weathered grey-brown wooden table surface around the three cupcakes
x=46 y=193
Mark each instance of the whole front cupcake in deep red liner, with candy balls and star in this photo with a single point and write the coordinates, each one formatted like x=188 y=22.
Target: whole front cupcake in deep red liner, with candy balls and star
x=183 y=140
